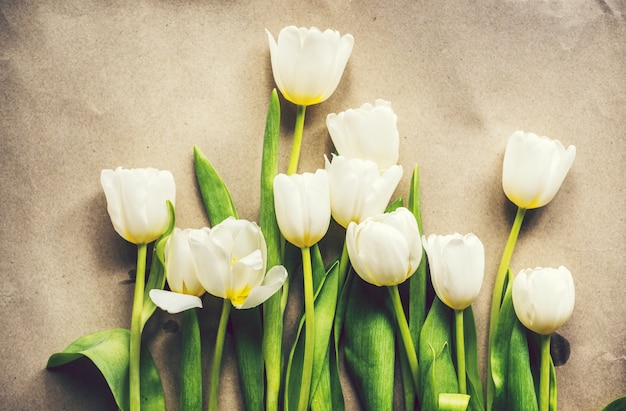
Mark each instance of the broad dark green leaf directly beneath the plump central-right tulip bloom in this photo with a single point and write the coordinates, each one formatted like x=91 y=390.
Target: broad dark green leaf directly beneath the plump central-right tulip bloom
x=369 y=351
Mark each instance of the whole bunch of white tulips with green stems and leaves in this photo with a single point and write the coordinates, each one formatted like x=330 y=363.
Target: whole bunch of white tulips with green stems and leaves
x=391 y=301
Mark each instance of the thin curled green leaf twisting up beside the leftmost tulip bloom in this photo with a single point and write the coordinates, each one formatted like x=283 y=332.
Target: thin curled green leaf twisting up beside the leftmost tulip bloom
x=156 y=279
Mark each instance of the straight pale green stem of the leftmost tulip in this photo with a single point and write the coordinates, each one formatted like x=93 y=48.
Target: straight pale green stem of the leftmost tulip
x=135 y=329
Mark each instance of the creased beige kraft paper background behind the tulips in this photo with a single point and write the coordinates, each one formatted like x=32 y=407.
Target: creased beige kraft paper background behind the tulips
x=93 y=84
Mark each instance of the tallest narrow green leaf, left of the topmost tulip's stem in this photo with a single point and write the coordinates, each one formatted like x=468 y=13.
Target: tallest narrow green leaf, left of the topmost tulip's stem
x=272 y=311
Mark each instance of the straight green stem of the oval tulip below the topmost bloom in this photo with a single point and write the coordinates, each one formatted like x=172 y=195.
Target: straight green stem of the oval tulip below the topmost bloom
x=309 y=321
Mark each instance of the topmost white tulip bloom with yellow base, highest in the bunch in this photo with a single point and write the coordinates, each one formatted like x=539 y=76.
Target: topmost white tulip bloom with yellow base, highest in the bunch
x=307 y=63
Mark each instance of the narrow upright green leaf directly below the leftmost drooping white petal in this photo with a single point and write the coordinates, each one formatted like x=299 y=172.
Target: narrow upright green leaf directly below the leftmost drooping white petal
x=191 y=363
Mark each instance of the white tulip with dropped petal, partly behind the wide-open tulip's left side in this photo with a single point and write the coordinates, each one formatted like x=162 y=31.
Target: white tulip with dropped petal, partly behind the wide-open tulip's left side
x=181 y=270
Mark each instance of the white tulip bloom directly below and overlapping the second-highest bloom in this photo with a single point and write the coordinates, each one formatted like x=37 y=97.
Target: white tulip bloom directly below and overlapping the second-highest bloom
x=358 y=189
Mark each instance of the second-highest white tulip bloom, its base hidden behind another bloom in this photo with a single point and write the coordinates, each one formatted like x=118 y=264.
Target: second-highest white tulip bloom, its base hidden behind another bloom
x=369 y=132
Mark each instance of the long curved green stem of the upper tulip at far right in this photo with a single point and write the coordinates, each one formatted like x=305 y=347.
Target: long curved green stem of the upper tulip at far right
x=498 y=288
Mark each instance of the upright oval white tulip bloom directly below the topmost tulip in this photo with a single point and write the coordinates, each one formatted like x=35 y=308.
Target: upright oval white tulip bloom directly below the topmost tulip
x=302 y=205
